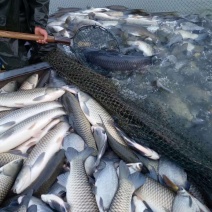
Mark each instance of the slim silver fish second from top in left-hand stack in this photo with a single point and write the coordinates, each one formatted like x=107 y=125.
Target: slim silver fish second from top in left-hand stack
x=17 y=116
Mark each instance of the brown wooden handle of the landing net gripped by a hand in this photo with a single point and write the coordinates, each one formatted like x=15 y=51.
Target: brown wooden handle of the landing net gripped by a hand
x=25 y=36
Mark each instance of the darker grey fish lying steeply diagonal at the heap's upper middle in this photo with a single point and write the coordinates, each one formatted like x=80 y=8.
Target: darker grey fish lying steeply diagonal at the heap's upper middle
x=80 y=123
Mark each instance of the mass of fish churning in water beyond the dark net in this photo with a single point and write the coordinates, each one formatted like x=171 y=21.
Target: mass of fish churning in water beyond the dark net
x=174 y=76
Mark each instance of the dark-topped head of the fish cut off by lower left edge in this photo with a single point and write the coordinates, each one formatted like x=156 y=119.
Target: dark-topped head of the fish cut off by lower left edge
x=11 y=169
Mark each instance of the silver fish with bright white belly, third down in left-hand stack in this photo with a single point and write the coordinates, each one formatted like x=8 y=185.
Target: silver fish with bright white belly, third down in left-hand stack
x=31 y=128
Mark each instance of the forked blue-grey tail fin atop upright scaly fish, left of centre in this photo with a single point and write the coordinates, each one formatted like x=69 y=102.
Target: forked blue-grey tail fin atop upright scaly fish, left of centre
x=71 y=153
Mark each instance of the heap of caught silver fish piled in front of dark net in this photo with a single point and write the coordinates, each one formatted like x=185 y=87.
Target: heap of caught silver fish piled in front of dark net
x=60 y=150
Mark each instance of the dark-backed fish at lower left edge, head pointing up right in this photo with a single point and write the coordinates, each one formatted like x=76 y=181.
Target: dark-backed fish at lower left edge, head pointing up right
x=8 y=175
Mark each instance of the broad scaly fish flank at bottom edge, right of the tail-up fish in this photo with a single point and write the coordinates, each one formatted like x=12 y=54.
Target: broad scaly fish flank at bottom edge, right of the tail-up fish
x=157 y=196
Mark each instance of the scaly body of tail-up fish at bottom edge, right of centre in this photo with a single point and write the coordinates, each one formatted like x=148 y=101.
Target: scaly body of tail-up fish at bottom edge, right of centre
x=122 y=199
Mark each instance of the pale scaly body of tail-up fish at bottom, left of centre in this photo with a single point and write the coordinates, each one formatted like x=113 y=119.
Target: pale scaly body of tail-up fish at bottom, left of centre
x=79 y=192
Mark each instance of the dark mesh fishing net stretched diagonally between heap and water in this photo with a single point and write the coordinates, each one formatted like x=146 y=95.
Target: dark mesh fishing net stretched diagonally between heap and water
x=143 y=121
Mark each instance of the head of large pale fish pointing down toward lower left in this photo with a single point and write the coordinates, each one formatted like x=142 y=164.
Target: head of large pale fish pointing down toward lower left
x=23 y=178
